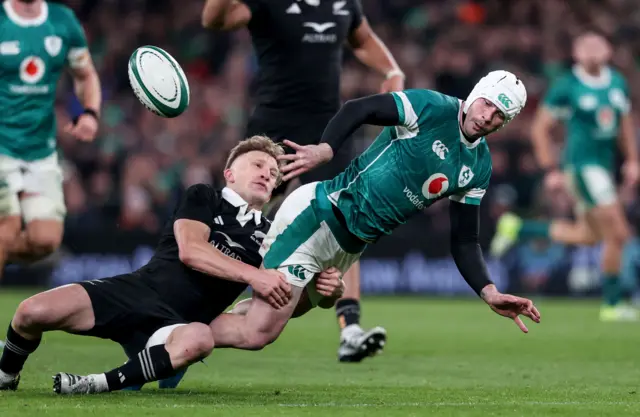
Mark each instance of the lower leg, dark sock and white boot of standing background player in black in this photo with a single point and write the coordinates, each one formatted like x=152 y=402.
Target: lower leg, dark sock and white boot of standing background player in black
x=355 y=343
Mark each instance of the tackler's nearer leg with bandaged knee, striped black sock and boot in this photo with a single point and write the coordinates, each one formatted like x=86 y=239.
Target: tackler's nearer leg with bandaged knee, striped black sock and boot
x=186 y=344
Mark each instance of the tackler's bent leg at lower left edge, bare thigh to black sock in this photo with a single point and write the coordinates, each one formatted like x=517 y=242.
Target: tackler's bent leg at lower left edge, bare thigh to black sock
x=65 y=308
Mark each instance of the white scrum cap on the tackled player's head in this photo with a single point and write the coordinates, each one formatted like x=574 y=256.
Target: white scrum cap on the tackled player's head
x=504 y=90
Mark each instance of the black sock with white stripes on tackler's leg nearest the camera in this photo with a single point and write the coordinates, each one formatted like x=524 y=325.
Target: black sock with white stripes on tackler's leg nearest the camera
x=149 y=365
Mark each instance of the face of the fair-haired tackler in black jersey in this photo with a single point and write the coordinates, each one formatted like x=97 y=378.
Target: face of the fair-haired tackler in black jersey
x=253 y=175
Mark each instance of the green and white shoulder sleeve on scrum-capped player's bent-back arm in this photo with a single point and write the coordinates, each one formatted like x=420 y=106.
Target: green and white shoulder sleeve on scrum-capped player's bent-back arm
x=416 y=107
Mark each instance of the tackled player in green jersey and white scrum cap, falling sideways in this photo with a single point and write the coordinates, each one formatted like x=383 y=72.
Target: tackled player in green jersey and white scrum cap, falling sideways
x=432 y=147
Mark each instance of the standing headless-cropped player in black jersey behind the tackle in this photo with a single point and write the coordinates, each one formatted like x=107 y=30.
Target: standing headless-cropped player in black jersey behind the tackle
x=299 y=45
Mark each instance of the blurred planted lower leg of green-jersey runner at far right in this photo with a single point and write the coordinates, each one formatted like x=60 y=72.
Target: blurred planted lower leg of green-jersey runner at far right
x=612 y=225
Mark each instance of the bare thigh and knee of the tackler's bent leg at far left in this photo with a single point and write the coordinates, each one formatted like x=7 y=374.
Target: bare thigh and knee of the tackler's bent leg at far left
x=66 y=308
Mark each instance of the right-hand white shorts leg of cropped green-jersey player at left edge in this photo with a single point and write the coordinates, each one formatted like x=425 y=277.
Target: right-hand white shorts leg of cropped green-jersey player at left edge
x=42 y=196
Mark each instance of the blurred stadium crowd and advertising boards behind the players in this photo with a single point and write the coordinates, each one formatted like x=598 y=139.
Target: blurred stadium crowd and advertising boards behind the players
x=120 y=189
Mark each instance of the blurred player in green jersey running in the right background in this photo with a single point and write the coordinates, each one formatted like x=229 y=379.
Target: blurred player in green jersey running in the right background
x=592 y=99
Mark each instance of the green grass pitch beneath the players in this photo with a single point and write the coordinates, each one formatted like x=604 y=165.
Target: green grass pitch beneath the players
x=443 y=358
